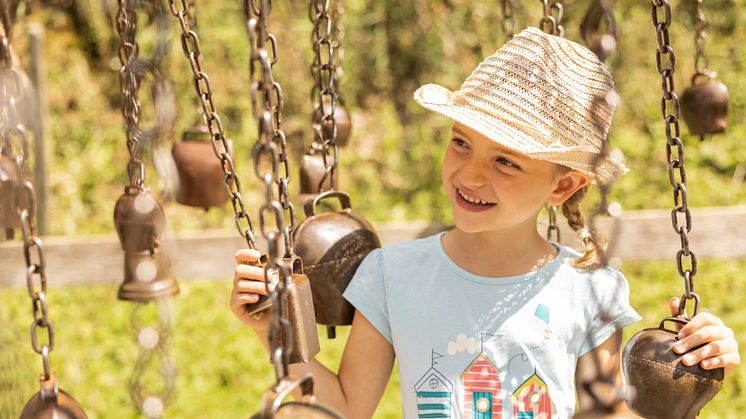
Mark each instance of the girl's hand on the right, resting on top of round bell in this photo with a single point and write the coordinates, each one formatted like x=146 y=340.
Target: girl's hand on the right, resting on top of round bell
x=718 y=344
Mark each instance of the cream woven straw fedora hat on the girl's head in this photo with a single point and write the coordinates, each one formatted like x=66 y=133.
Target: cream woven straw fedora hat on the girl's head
x=537 y=95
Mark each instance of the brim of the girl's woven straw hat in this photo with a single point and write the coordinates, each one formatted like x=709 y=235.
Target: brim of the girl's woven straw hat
x=515 y=136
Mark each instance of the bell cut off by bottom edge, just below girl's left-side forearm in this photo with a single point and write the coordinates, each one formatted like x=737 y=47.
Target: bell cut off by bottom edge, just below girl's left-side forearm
x=306 y=408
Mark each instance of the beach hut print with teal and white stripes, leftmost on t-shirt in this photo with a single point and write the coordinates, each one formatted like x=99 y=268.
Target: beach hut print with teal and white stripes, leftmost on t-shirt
x=434 y=392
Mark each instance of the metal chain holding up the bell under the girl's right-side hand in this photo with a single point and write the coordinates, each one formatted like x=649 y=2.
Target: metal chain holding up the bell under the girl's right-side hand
x=681 y=217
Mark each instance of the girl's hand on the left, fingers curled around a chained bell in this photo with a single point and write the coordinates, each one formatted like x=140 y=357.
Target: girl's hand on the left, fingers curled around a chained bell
x=248 y=285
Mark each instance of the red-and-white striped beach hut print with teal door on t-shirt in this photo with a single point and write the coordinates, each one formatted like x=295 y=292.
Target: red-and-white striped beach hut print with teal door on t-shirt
x=482 y=389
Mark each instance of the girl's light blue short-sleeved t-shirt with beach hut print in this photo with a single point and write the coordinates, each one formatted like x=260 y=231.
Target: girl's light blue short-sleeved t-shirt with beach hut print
x=477 y=347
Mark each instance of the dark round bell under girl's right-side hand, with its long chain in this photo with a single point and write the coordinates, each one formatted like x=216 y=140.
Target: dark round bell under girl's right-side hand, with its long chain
x=665 y=387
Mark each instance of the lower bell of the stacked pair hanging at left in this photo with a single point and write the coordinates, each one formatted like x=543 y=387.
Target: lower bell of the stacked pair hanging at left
x=147 y=277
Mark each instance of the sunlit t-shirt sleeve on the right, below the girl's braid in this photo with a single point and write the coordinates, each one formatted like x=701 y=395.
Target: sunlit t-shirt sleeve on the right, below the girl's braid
x=612 y=311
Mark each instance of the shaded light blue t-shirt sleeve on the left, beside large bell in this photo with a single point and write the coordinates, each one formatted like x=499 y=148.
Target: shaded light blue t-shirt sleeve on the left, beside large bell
x=367 y=292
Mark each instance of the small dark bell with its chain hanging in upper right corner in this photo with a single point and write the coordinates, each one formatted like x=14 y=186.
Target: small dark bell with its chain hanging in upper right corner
x=704 y=105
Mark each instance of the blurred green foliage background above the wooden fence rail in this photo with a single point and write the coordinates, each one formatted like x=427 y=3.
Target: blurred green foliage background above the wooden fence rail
x=392 y=166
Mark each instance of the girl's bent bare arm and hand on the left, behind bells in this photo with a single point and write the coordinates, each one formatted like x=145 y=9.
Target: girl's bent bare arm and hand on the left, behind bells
x=367 y=360
